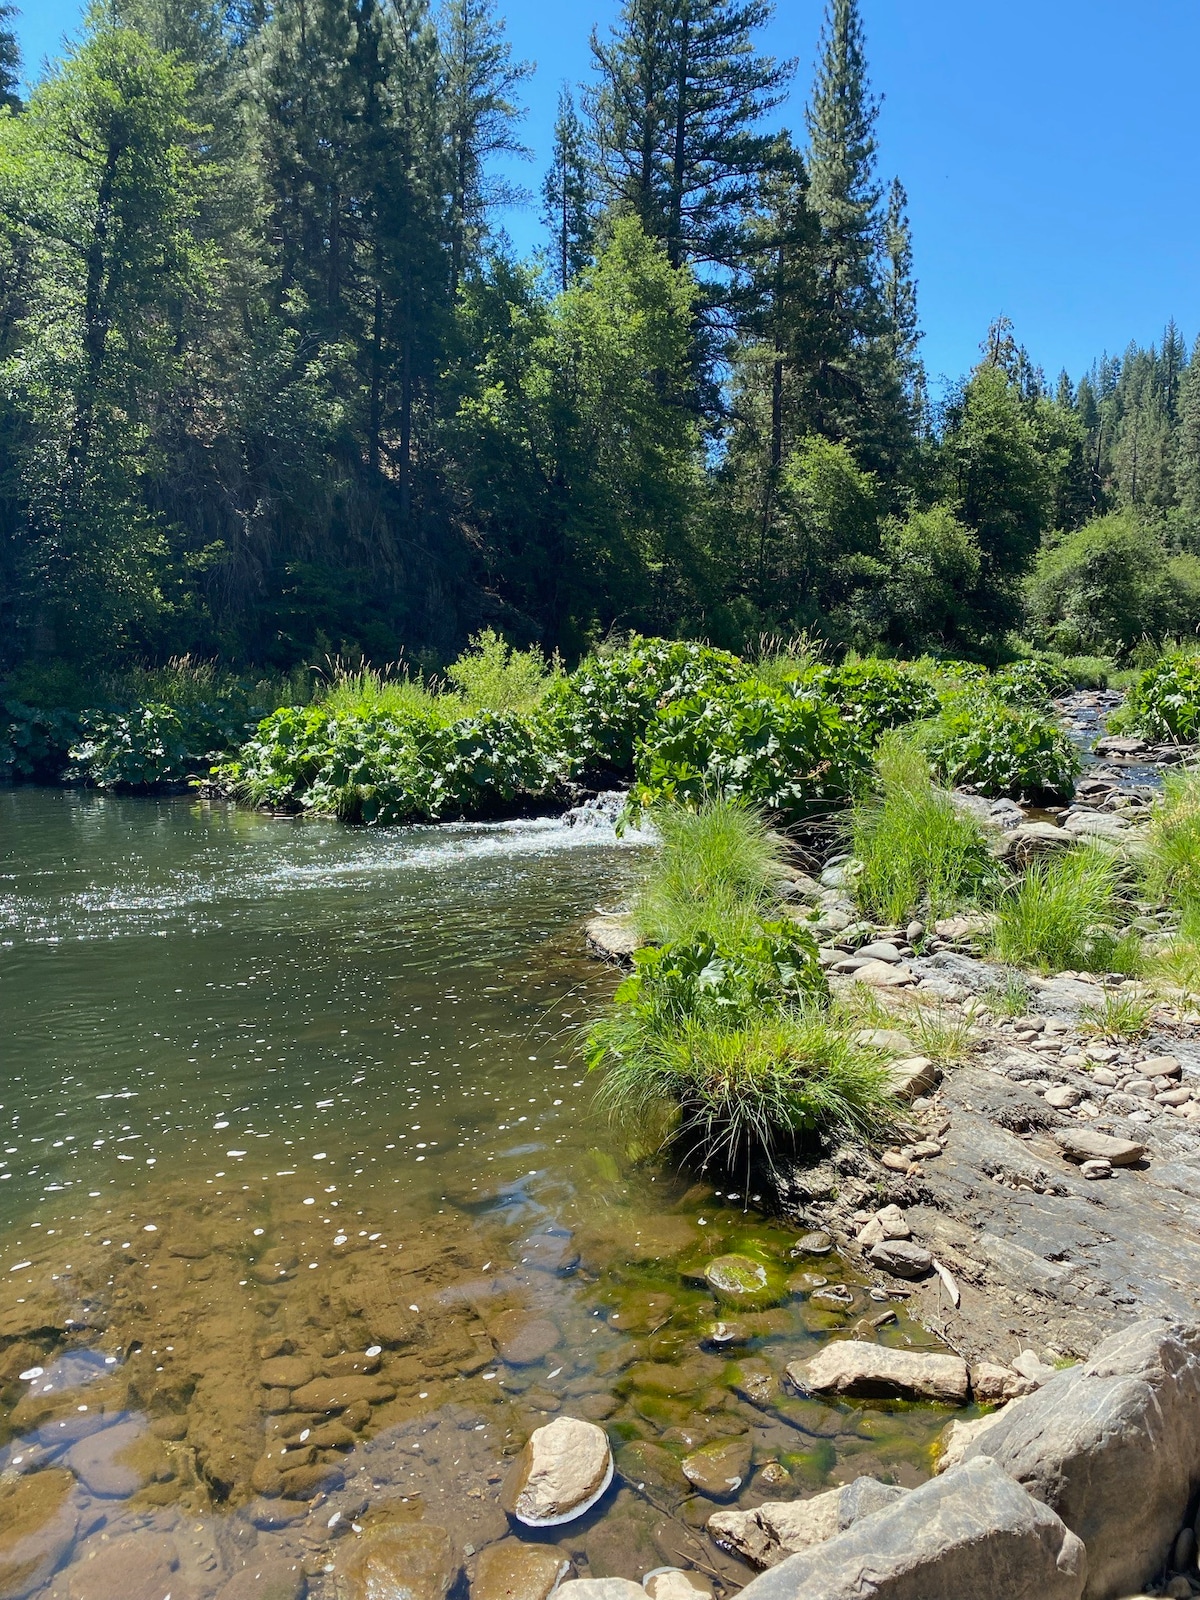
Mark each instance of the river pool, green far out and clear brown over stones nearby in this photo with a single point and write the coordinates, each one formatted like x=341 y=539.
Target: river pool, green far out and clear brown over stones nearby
x=305 y=1209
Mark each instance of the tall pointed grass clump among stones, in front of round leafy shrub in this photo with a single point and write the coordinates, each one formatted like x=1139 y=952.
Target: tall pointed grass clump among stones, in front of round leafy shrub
x=921 y=854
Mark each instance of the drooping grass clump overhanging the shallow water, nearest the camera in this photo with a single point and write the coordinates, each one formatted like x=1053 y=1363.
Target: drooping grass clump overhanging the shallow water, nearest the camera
x=751 y=1092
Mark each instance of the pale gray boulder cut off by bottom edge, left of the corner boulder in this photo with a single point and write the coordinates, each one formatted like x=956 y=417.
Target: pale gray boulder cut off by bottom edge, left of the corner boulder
x=972 y=1535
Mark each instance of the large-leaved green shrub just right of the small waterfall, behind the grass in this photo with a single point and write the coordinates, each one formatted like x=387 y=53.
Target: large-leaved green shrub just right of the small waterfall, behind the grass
x=786 y=754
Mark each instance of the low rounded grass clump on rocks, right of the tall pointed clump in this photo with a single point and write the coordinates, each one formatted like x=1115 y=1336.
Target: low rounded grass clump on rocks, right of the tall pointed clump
x=1065 y=914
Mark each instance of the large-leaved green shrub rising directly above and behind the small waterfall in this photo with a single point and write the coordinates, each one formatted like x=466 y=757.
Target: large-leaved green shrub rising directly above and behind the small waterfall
x=594 y=722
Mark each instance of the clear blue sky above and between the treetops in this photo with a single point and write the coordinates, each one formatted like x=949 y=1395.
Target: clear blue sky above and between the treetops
x=1049 y=150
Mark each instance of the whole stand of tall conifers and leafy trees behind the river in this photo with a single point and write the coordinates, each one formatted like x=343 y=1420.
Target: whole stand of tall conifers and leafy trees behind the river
x=276 y=386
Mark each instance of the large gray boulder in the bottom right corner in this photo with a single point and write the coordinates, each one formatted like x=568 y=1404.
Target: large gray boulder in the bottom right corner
x=1113 y=1447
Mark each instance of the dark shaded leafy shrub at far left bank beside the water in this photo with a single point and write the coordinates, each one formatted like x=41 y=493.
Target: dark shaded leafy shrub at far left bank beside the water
x=158 y=745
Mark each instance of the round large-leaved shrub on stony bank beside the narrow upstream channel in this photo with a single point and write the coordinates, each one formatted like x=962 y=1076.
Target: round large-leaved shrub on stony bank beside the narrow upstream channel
x=999 y=750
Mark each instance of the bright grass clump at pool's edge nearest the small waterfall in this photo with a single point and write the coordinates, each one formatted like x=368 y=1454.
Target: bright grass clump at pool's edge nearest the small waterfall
x=718 y=868
